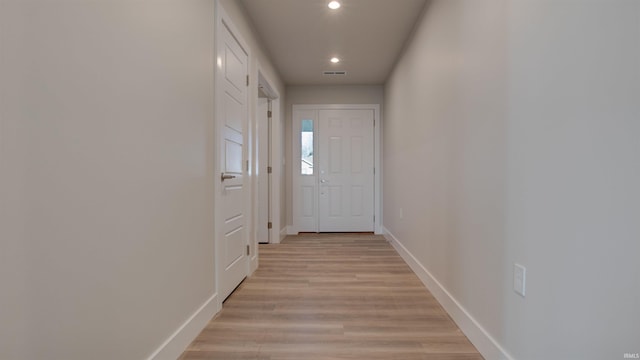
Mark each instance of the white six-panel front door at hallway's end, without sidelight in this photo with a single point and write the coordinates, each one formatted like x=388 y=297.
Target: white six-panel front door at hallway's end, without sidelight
x=346 y=164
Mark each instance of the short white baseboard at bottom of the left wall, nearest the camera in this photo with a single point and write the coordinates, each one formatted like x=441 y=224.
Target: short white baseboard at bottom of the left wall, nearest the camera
x=175 y=345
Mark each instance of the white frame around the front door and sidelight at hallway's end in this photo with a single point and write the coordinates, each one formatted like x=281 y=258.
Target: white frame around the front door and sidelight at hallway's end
x=377 y=151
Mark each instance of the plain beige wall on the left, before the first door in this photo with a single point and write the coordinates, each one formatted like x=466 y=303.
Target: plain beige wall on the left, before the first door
x=106 y=171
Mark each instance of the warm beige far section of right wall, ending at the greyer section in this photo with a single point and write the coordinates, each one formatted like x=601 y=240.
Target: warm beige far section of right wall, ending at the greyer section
x=444 y=152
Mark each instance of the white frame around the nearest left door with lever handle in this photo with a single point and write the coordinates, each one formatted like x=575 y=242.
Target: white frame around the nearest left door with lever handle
x=224 y=20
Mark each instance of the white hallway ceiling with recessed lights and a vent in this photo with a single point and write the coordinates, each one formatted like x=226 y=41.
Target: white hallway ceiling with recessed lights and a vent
x=302 y=35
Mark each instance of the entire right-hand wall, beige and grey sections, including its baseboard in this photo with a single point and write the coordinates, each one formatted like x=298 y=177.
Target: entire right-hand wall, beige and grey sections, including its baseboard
x=510 y=135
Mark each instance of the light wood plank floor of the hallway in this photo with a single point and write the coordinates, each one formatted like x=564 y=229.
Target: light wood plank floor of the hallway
x=331 y=296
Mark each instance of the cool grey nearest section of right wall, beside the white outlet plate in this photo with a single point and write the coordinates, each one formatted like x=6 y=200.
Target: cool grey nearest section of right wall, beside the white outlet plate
x=573 y=173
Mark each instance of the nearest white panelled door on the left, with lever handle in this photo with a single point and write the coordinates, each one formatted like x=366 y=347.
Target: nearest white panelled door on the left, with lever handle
x=232 y=225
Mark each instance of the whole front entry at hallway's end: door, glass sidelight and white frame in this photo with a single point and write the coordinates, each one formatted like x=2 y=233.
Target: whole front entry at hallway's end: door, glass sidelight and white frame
x=335 y=185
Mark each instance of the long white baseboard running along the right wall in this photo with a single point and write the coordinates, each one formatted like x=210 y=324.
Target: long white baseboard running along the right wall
x=479 y=337
